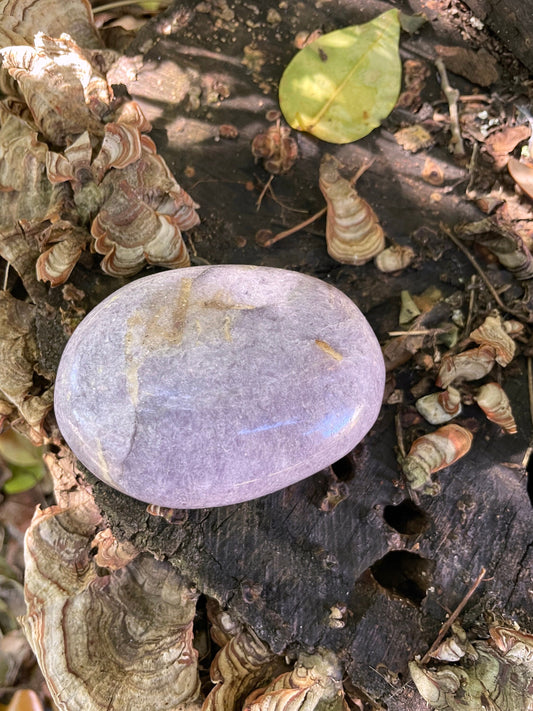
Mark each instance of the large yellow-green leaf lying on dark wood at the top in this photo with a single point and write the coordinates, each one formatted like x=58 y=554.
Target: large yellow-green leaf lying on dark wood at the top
x=342 y=85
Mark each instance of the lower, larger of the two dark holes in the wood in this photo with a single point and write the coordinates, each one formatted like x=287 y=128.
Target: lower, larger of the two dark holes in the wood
x=404 y=574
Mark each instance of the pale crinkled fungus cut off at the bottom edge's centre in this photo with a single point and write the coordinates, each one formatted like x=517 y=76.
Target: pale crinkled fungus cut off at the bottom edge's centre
x=314 y=683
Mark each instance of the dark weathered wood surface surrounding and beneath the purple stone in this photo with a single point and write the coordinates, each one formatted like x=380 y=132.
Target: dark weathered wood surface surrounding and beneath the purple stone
x=281 y=562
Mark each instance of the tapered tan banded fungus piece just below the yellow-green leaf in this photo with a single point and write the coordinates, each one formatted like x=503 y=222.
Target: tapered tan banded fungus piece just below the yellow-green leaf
x=353 y=233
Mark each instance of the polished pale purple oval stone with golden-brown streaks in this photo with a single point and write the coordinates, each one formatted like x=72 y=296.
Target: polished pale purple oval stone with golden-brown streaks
x=213 y=385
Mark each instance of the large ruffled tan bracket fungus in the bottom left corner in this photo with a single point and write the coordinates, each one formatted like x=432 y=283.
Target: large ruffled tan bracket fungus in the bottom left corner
x=103 y=642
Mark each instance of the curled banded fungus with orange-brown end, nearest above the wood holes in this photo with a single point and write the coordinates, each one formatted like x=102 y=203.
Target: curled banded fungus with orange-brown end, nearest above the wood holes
x=433 y=452
